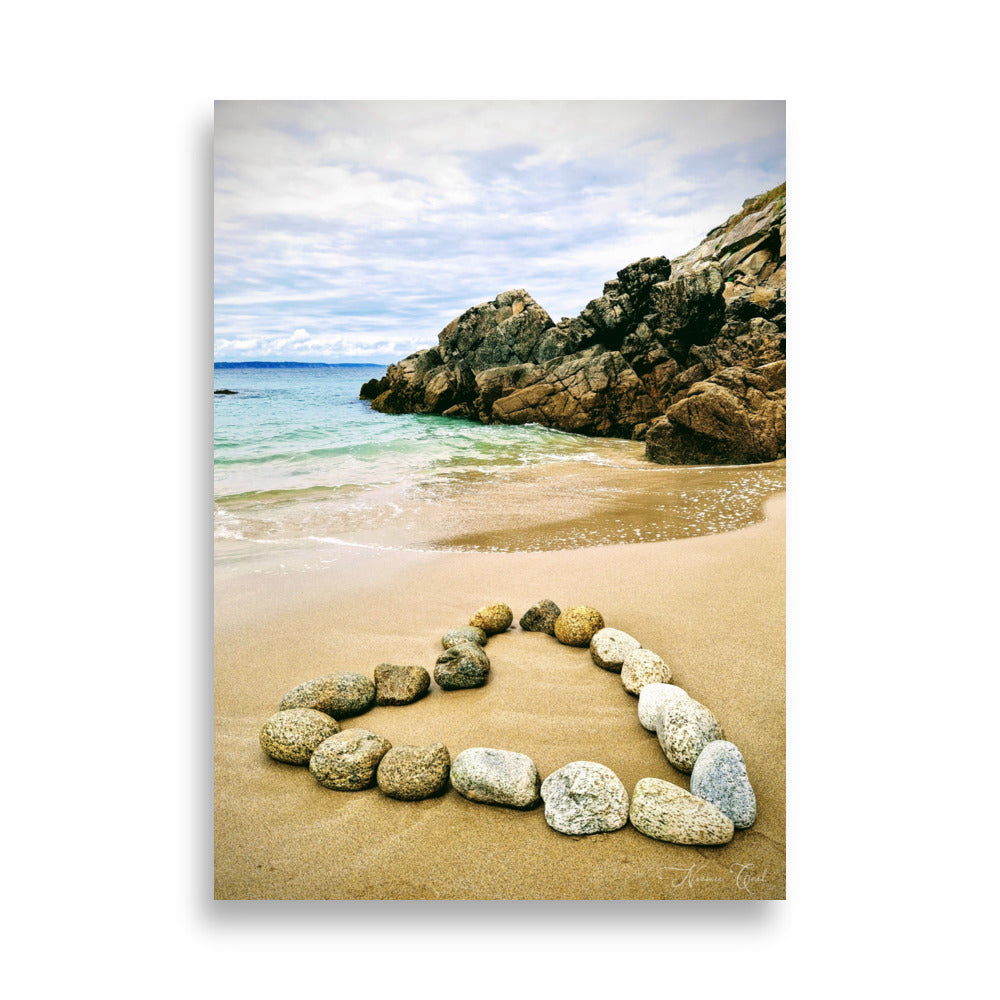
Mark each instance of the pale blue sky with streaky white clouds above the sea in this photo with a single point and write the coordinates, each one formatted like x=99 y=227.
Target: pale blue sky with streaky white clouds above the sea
x=355 y=231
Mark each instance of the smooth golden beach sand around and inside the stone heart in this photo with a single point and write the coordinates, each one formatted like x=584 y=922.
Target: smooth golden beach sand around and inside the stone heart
x=712 y=607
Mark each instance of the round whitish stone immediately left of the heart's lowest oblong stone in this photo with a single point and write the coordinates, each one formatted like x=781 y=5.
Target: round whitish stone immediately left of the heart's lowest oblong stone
x=584 y=797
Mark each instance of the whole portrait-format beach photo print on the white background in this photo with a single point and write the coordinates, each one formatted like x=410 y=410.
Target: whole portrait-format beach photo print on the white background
x=499 y=486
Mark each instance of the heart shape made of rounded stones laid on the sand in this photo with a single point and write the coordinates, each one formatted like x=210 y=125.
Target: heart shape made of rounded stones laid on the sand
x=582 y=797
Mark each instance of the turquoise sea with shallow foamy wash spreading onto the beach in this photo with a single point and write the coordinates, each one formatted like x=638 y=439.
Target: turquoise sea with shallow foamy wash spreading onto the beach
x=301 y=461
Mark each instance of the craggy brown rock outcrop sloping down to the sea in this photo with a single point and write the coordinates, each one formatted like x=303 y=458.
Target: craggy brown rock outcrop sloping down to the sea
x=687 y=354
